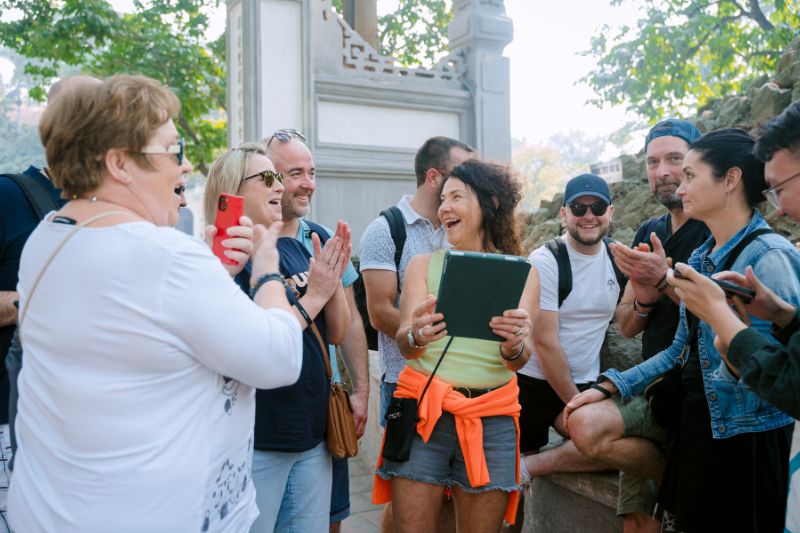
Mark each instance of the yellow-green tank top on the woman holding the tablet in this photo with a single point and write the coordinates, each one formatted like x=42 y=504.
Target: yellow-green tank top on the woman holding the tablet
x=471 y=363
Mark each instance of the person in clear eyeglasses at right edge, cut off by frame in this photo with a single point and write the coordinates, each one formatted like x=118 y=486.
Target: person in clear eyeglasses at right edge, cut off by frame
x=770 y=368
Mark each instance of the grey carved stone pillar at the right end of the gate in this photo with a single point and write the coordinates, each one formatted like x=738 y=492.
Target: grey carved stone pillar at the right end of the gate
x=482 y=30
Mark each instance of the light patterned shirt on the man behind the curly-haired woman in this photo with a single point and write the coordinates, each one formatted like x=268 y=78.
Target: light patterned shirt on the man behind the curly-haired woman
x=377 y=253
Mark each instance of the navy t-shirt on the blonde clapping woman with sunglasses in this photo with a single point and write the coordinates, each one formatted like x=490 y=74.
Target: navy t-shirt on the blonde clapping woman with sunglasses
x=293 y=418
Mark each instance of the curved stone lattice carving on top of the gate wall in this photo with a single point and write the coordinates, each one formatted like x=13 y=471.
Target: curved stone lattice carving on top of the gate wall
x=359 y=55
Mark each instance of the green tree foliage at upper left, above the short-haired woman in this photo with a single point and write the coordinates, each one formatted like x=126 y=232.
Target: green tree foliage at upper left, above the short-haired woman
x=163 y=39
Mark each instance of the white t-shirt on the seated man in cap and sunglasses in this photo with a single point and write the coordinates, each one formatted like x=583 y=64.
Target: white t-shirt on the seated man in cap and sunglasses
x=585 y=313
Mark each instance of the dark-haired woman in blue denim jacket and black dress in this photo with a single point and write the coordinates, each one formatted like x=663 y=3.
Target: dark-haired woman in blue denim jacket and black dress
x=727 y=470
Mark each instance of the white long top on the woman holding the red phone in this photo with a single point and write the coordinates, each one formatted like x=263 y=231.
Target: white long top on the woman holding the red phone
x=125 y=420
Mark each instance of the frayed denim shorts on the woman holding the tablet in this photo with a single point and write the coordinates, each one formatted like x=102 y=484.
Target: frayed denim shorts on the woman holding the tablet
x=440 y=461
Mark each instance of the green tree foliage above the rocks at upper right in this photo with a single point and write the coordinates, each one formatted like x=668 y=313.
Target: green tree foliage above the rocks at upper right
x=685 y=52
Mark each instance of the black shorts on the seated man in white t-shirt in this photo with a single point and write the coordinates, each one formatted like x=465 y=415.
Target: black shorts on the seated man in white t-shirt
x=540 y=407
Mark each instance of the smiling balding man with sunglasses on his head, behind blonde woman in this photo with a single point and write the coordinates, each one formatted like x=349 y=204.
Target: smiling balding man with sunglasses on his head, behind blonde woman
x=293 y=160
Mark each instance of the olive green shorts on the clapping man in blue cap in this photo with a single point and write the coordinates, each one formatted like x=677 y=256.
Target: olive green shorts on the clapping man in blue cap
x=637 y=494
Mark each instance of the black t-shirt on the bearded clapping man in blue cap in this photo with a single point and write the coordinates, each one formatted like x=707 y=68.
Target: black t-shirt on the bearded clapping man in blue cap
x=663 y=321
